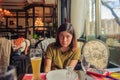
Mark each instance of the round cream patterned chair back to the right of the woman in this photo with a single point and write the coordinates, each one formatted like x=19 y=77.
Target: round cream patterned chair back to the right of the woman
x=96 y=53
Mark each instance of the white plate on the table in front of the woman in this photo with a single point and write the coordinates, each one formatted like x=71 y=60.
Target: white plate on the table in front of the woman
x=59 y=75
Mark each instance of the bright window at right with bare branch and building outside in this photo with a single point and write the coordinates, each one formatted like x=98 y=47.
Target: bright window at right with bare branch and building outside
x=108 y=29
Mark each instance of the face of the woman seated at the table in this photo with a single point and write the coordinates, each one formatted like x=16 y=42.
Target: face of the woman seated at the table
x=65 y=38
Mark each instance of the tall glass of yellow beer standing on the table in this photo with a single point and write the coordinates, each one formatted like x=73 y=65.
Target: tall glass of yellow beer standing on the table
x=36 y=59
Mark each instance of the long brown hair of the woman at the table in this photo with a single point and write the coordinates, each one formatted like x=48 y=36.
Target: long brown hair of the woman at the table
x=69 y=28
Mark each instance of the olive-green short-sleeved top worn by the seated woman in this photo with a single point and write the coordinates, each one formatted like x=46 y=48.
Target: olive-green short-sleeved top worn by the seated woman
x=59 y=59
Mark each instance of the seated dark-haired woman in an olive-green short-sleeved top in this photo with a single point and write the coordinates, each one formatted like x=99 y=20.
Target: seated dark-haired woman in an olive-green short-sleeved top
x=64 y=52
